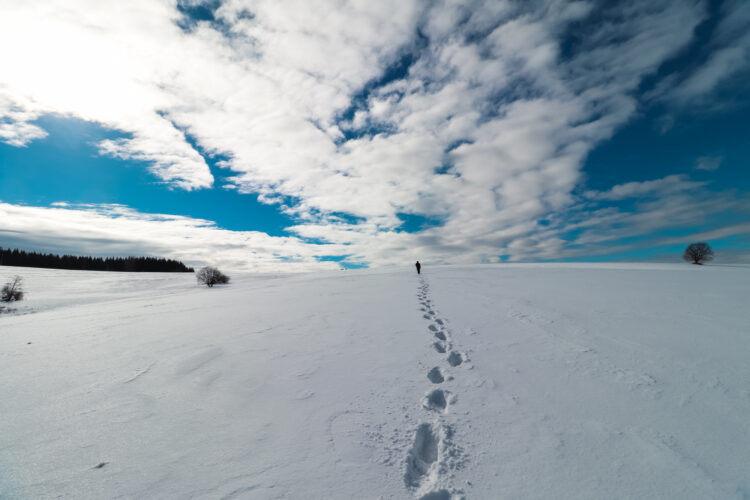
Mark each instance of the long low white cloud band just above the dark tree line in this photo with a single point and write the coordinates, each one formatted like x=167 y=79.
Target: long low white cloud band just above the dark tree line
x=106 y=230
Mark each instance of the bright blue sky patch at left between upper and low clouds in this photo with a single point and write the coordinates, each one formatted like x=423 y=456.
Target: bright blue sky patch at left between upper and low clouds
x=67 y=167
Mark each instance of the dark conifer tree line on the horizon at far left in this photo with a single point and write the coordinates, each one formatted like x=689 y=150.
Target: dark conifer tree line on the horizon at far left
x=21 y=258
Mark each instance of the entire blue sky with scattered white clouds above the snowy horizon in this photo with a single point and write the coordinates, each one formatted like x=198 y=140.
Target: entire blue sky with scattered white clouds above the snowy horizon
x=269 y=136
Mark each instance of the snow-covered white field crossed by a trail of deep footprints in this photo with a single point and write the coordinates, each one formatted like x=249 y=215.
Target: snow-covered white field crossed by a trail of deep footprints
x=513 y=381
